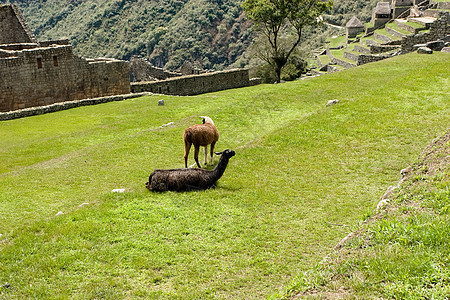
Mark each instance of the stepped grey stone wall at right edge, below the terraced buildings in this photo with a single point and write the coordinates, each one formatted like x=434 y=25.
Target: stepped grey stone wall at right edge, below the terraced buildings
x=438 y=30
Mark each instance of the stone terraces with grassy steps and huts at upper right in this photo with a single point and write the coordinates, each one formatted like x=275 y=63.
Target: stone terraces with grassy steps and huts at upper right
x=423 y=25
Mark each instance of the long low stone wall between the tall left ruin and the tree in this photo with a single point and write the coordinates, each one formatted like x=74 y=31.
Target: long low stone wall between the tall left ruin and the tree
x=195 y=84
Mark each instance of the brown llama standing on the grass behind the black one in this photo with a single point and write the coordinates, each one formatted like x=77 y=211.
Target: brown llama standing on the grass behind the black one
x=200 y=135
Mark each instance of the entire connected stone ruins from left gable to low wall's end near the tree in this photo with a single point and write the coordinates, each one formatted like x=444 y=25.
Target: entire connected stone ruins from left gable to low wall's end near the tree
x=40 y=74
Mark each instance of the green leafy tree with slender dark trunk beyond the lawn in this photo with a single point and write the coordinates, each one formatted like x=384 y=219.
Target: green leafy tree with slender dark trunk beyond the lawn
x=278 y=18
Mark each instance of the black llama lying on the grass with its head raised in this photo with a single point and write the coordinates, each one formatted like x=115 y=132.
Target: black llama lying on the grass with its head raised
x=180 y=180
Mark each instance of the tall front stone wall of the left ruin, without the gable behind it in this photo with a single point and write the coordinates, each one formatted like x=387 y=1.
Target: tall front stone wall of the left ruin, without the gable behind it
x=42 y=76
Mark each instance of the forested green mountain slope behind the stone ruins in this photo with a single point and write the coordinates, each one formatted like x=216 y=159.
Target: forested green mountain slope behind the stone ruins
x=210 y=33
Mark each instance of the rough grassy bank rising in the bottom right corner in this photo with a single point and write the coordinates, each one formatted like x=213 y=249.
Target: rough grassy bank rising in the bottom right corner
x=403 y=251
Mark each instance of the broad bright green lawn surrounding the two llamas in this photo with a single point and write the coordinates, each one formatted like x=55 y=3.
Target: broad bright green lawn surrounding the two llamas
x=300 y=168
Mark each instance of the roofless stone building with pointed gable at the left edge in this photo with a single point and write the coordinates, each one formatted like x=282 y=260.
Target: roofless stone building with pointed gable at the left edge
x=34 y=73
